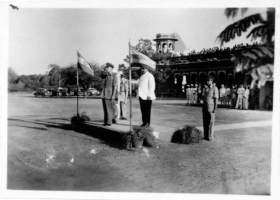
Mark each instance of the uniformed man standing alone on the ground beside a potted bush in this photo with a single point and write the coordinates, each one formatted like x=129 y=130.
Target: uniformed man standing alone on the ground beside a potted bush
x=210 y=102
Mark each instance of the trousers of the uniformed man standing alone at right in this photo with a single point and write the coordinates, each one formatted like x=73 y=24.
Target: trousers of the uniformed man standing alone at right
x=208 y=125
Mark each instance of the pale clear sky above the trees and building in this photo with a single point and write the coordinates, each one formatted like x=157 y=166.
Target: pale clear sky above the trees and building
x=42 y=36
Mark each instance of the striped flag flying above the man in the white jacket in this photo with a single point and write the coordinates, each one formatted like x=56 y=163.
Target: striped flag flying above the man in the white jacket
x=140 y=60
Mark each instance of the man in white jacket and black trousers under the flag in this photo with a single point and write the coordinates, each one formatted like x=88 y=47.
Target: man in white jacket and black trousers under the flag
x=146 y=94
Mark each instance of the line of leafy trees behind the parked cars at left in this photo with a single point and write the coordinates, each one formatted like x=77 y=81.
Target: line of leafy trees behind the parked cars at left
x=57 y=76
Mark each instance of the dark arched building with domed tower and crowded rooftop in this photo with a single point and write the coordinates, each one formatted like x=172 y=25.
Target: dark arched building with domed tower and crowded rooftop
x=196 y=66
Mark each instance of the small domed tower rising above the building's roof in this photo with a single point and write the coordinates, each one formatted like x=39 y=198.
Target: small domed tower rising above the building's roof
x=165 y=42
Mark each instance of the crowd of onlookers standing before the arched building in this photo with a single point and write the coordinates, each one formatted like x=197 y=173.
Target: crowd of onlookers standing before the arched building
x=231 y=96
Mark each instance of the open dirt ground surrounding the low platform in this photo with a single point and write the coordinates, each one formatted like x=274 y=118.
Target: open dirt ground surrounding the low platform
x=44 y=153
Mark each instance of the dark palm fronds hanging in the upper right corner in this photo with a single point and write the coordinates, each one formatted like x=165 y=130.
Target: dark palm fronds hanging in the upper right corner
x=257 y=60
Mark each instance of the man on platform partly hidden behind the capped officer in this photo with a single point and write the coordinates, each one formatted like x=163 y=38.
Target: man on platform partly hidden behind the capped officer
x=123 y=97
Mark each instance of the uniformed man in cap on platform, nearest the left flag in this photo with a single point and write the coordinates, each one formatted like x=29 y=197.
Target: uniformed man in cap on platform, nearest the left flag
x=108 y=94
